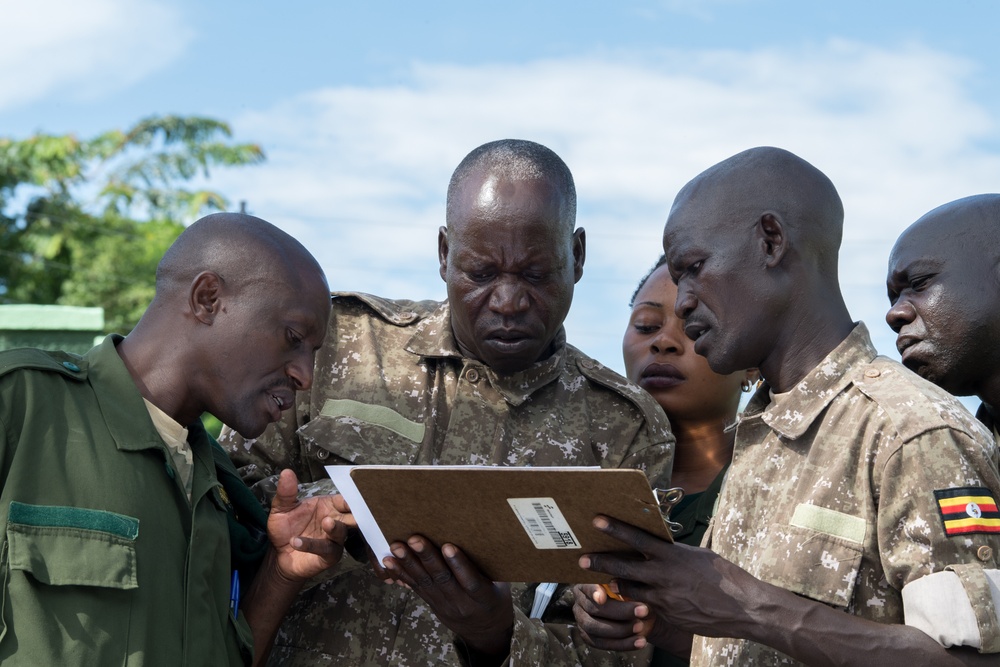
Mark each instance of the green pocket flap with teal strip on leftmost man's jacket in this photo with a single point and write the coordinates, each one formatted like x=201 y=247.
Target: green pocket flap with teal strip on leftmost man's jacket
x=67 y=546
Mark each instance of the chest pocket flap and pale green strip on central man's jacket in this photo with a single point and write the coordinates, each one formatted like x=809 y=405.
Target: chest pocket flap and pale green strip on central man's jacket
x=350 y=432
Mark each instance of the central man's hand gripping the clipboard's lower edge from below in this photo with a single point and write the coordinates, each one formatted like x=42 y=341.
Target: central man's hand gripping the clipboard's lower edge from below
x=476 y=609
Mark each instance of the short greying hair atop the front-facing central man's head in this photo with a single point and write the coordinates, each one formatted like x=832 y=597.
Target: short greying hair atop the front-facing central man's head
x=512 y=160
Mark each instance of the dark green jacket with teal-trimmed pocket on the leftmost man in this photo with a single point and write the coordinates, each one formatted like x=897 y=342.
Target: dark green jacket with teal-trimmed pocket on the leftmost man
x=104 y=560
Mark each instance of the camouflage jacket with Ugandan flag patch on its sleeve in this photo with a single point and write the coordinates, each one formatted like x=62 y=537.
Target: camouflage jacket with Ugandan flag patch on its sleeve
x=834 y=493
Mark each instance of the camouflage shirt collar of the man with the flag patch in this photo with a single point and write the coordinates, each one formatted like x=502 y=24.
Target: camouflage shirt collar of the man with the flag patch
x=801 y=406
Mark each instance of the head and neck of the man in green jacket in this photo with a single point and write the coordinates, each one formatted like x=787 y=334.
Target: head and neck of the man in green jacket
x=240 y=309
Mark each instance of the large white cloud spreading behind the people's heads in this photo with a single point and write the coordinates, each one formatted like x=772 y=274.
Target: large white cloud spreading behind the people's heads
x=360 y=173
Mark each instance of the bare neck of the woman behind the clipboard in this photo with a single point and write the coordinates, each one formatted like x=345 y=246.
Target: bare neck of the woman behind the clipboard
x=703 y=449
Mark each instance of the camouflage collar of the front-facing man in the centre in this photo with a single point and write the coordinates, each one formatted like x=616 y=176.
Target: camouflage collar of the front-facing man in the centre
x=433 y=338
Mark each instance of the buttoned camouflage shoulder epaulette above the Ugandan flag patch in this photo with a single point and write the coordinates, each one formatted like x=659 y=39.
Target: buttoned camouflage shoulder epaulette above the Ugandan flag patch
x=914 y=405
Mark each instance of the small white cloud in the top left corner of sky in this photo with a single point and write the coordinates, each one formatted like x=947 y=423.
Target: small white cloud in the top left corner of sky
x=83 y=49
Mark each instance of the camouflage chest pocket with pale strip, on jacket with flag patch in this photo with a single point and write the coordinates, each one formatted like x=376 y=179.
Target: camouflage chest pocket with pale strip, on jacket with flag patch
x=817 y=556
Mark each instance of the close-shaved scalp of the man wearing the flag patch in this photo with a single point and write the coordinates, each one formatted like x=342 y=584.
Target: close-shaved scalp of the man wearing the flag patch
x=768 y=179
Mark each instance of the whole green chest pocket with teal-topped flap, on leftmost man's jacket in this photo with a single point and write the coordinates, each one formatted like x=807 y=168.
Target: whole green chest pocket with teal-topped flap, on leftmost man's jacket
x=70 y=573
